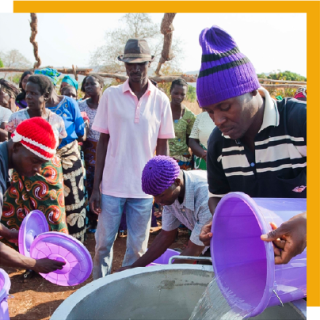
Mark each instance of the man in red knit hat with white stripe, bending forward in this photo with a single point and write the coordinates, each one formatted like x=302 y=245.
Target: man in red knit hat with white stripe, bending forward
x=32 y=144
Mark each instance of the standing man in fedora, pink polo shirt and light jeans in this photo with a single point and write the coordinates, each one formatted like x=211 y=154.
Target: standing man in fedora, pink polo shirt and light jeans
x=134 y=120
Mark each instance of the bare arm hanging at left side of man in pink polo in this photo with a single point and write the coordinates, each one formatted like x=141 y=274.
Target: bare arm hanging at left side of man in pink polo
x=100 y=160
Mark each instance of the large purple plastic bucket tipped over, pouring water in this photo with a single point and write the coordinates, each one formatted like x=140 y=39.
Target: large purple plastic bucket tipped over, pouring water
x=244 y=264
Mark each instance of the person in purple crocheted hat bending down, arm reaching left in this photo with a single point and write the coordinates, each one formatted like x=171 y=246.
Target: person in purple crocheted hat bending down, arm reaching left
x=184 y=195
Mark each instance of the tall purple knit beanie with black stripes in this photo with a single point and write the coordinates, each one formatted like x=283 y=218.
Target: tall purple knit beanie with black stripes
x=225 y=71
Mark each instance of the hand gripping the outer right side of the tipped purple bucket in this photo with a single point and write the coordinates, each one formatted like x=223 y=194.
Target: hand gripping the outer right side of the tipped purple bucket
x=290 y=239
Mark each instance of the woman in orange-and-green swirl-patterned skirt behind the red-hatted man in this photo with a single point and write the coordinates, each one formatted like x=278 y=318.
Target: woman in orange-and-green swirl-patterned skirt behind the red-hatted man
x=44 y=191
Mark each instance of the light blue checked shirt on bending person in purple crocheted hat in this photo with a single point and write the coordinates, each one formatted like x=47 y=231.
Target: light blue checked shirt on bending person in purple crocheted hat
x=193 y=212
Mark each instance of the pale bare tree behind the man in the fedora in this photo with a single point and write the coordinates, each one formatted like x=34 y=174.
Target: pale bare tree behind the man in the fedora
x=132 y=25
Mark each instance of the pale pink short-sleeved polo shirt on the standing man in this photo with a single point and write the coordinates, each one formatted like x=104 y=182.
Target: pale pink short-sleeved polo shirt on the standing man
x=134 y=127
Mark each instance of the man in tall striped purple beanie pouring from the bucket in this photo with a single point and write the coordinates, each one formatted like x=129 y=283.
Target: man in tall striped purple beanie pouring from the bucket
x=259 y=144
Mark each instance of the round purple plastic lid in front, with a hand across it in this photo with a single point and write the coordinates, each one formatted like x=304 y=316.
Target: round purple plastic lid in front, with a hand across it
x=62 y=247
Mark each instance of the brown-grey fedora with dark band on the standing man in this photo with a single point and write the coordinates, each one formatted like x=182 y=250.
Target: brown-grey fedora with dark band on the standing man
x=136 y=51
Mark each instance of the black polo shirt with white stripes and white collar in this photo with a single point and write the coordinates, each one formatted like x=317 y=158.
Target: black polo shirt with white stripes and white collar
x=277 y=168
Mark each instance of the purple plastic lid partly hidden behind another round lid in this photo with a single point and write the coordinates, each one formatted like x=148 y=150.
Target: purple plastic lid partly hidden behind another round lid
x=32 y=225
